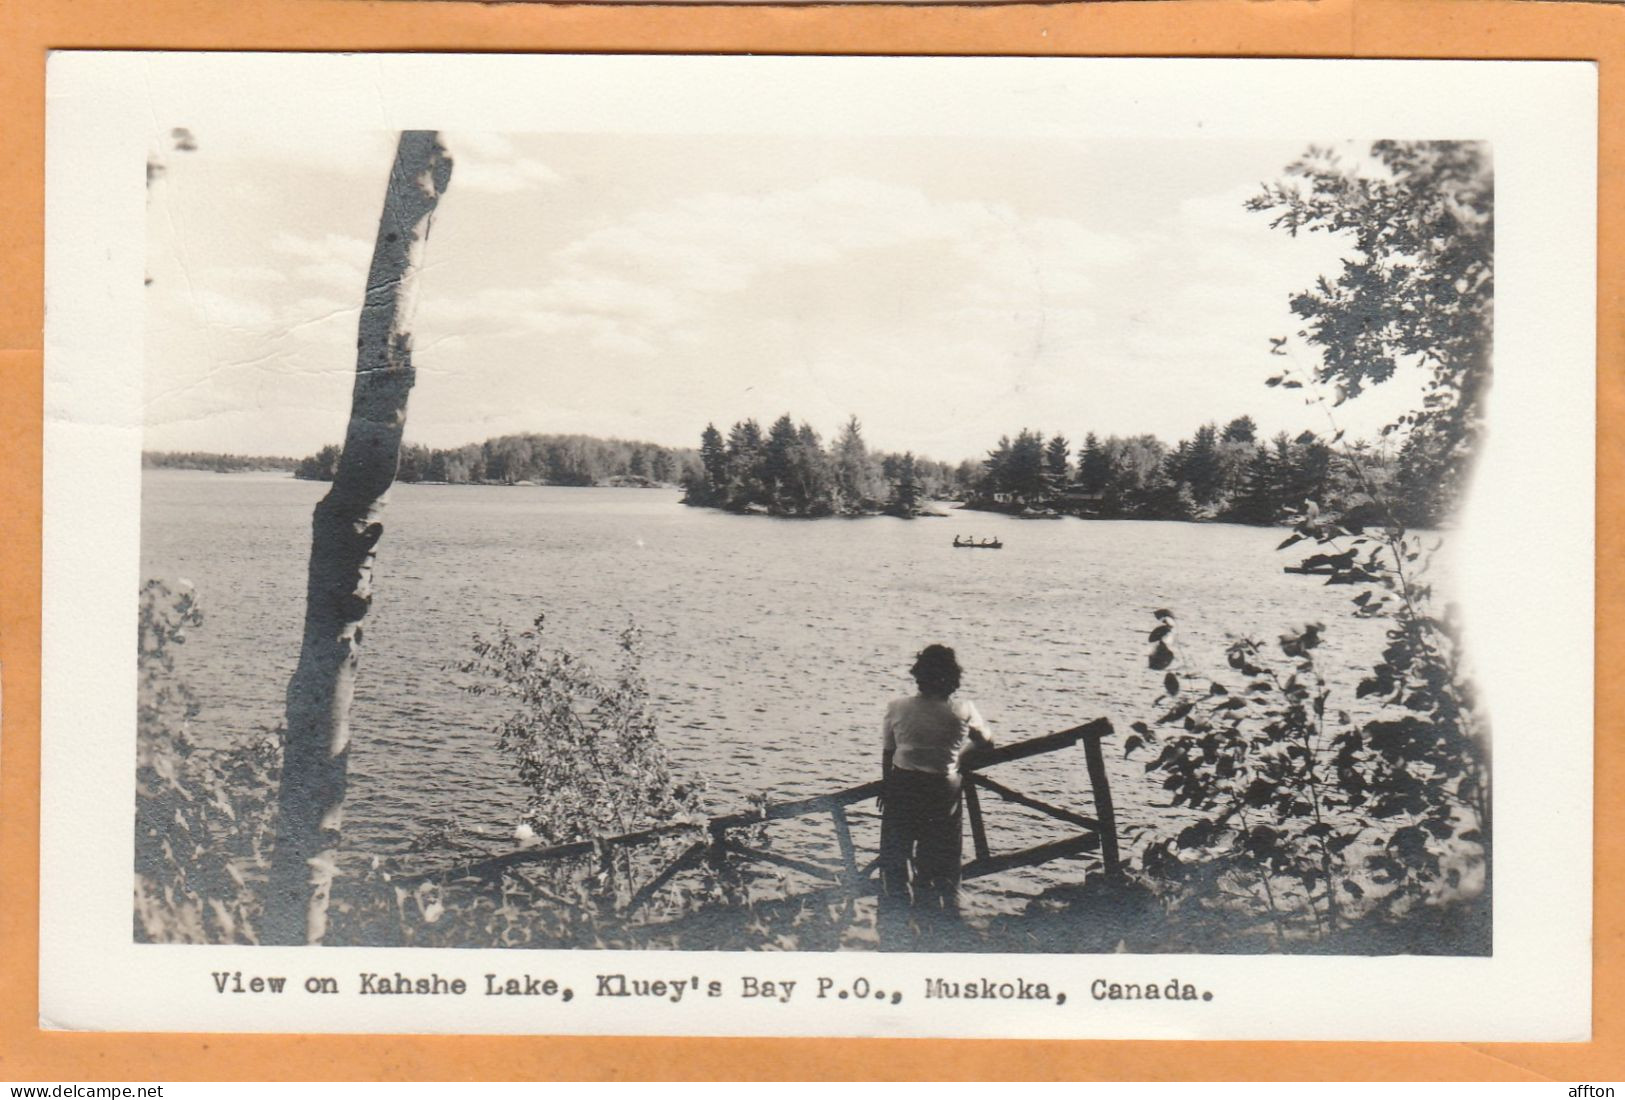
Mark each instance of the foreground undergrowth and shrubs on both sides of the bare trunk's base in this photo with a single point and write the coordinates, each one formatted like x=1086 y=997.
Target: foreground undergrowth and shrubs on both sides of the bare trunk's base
x=587 y=750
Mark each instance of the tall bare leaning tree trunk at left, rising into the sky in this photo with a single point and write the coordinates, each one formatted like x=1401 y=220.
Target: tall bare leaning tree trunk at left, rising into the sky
x=345 y=534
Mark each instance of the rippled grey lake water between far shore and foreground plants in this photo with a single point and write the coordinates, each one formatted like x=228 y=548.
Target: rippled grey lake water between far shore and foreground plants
x=773 y=646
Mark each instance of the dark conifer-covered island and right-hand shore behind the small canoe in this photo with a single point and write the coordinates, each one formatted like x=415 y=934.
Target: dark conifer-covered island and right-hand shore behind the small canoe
x=1220 y=474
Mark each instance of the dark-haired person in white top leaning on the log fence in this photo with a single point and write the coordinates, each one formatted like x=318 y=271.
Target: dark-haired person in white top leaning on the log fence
x=925 y=738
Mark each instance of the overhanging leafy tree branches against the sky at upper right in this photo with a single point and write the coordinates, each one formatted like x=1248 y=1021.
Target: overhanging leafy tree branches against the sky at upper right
x=1419 y=288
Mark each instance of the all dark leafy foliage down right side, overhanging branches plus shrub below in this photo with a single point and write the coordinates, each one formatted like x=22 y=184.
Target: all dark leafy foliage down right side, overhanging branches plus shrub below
x=1324 y=823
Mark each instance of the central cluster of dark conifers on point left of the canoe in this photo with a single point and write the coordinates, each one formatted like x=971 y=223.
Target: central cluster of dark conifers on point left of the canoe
x=787 y=470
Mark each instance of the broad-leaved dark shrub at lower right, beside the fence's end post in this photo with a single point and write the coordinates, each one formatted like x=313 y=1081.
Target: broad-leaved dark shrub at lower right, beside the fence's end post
x=1301 y=812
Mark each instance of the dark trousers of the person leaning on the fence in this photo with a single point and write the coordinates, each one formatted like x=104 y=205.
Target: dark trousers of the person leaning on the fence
x=921 y=849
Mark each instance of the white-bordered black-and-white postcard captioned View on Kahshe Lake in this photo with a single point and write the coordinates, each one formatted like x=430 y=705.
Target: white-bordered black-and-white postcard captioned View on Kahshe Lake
x=820 y=547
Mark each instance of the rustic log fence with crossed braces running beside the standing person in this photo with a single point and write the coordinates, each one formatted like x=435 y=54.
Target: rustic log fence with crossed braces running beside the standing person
x=717 y=839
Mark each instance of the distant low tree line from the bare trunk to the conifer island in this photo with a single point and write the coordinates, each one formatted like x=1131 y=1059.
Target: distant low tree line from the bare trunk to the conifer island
x=529 y=457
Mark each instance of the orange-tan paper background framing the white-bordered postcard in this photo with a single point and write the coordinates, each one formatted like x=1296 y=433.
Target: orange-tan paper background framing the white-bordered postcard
x=1281 y=28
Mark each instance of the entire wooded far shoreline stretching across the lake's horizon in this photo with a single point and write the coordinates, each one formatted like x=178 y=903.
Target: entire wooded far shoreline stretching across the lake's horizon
x=1226 y=474
